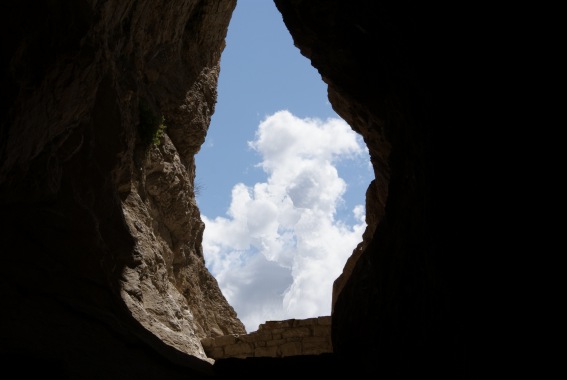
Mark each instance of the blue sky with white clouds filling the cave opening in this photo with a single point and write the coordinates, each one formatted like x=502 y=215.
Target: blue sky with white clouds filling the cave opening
x=282 y=177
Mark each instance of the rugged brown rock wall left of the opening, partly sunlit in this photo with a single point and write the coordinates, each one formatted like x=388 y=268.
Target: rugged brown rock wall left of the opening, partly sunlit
x=101 y=235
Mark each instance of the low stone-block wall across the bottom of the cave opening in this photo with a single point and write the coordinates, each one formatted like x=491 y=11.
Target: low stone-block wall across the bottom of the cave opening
x=290 y=337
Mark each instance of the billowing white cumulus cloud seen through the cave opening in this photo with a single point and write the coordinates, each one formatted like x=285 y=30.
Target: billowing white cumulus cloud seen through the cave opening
x=278 y=251
